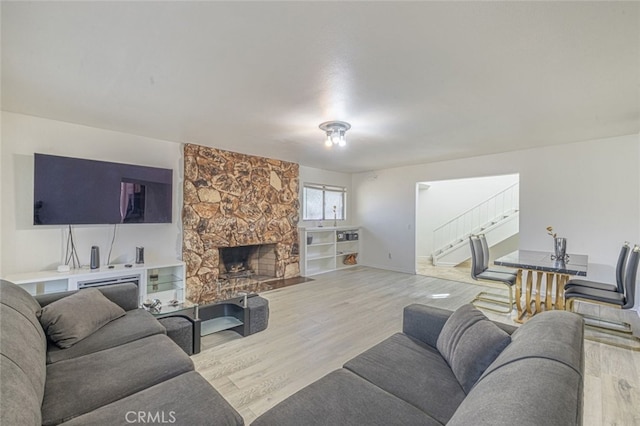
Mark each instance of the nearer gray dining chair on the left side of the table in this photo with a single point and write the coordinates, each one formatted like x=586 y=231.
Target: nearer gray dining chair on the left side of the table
x=480 y=272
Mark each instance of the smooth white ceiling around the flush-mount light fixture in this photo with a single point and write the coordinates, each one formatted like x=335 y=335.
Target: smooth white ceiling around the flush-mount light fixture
x=418 y=81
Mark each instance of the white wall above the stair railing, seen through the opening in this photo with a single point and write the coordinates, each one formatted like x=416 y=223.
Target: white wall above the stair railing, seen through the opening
x=445 y=199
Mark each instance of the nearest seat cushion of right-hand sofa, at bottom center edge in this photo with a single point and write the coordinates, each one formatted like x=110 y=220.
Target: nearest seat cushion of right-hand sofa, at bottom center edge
x=343 y=398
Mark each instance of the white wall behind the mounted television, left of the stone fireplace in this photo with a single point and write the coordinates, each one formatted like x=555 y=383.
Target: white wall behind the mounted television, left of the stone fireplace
x=26 y=248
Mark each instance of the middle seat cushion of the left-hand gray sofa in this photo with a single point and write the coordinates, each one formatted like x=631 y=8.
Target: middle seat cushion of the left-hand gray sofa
x=79 y=385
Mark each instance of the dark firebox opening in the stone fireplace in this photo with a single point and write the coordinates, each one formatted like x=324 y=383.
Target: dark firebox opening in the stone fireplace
x=257 y=262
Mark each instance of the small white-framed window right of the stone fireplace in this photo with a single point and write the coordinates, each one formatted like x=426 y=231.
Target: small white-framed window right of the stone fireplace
x=320 y=201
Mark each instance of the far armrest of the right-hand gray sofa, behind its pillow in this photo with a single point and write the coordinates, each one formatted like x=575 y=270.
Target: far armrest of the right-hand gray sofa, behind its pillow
x=424 y=322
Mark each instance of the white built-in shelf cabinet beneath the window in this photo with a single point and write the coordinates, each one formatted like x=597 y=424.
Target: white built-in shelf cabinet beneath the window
x=325 y=249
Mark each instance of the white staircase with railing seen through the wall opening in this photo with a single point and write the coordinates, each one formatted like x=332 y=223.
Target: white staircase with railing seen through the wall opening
x=497 y=217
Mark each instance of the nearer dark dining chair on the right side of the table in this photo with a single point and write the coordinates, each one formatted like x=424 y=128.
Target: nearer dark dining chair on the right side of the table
x=616 y=299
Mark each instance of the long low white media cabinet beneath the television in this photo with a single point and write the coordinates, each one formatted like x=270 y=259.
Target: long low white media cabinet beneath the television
x=156 y=280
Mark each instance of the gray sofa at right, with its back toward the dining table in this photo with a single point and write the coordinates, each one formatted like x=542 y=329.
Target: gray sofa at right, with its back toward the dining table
x=453 y=370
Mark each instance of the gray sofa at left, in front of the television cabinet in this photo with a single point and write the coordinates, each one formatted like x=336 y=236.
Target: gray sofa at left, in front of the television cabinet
x=128 y=371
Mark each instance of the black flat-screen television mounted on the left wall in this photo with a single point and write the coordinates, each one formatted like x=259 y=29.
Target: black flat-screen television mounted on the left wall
x=75 y=191
